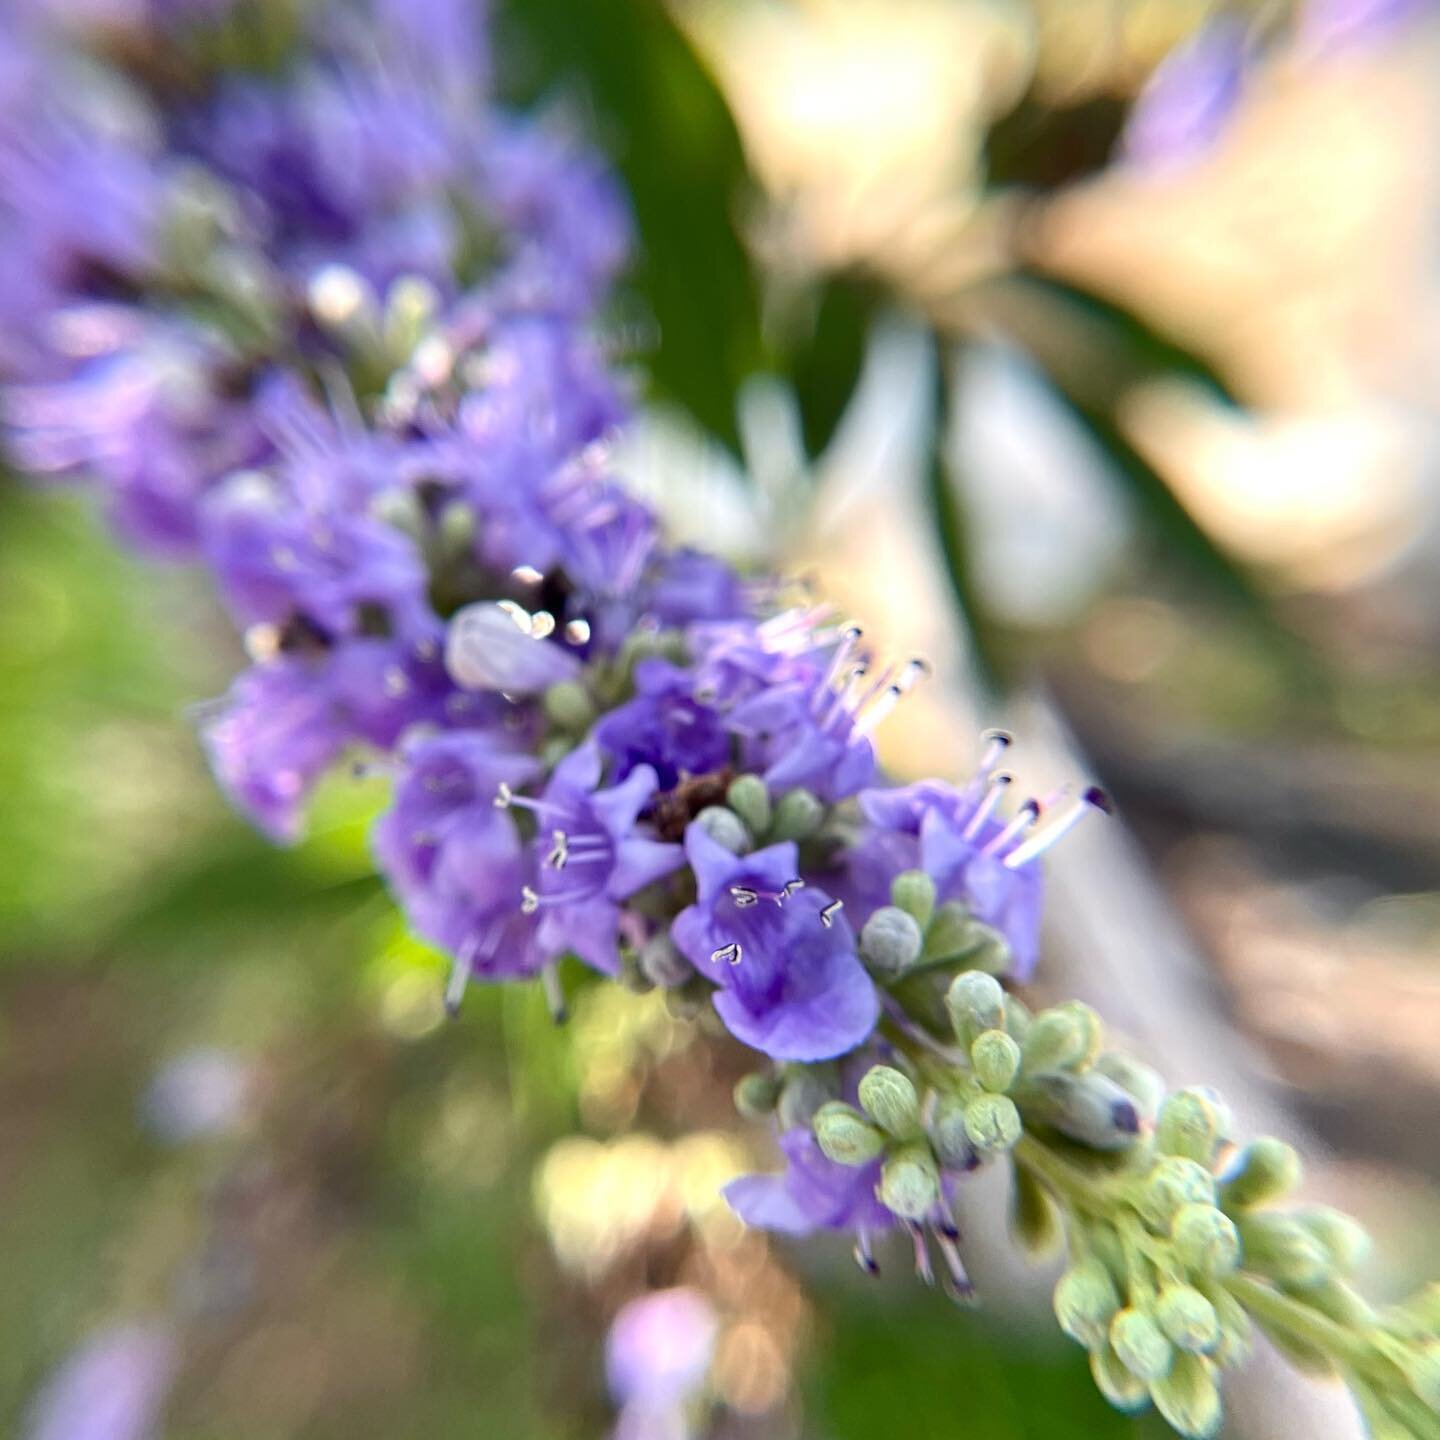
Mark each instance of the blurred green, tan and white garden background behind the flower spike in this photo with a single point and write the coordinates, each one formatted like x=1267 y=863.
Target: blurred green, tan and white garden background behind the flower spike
x=1089 y=348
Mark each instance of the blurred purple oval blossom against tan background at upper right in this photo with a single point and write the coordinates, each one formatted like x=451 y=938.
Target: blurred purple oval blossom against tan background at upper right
x=1189 y=100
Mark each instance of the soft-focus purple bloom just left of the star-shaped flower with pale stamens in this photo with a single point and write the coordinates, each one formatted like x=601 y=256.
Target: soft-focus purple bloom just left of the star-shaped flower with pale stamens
x=456 y=859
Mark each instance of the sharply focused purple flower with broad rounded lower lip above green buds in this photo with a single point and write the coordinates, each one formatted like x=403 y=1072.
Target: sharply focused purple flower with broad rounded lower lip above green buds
x=784 y=957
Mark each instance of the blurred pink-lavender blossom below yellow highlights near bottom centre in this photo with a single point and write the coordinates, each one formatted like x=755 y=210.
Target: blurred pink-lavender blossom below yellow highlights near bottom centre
x=660 y=1346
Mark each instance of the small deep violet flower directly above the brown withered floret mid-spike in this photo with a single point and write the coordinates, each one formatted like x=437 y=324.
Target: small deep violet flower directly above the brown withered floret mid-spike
x=665 y=726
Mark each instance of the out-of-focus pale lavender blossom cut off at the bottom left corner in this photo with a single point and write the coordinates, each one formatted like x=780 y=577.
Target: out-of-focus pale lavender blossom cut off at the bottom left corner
x=112 y=1389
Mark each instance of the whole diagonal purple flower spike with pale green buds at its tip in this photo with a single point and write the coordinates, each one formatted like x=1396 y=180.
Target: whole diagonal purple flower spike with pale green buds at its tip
x=328 y=320
